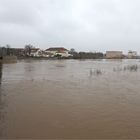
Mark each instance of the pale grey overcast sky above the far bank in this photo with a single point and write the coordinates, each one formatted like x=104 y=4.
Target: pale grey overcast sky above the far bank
x=86 y=25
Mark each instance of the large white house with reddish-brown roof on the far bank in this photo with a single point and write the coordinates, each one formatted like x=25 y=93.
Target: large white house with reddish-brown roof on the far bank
x=60 y=51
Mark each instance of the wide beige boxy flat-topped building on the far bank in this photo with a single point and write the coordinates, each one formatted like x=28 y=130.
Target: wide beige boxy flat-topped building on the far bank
x=114 y=54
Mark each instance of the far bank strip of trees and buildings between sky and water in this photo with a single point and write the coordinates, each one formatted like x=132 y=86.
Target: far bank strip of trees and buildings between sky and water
x=8 y=54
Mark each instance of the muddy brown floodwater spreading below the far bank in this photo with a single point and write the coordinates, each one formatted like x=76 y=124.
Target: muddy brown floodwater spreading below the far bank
x=70 y=99
